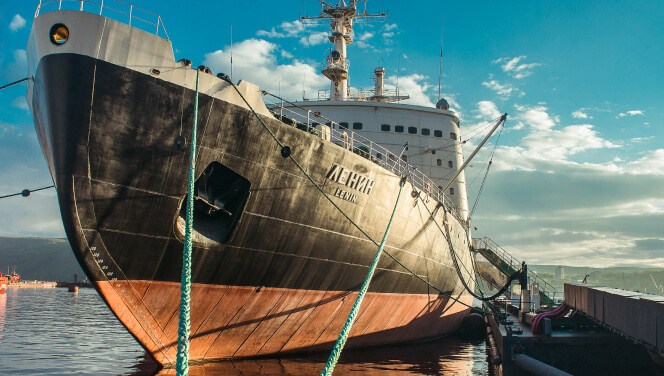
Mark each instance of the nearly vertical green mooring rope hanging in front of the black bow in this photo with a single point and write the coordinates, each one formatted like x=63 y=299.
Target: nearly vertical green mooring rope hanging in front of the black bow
x=184 y=326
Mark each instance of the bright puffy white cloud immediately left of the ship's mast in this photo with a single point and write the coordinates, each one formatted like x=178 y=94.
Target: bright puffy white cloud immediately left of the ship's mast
x=255 y=60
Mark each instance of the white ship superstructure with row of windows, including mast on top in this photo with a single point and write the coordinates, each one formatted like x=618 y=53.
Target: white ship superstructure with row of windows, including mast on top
x=433 y=135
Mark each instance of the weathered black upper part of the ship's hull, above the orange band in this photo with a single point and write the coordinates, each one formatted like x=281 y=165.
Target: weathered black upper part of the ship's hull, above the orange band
x=121 y=181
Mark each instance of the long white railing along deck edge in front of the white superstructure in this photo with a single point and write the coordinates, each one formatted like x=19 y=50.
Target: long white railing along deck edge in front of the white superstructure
x=339 y=134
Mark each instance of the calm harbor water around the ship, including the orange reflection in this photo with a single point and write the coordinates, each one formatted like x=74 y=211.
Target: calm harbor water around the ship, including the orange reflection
x=55 y=332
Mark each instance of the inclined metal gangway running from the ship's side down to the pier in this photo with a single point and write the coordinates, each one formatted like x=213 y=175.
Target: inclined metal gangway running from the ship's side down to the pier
x=506 y=264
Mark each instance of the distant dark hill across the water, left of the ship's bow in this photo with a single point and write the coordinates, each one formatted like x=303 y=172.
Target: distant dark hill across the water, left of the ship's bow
x=39 y=258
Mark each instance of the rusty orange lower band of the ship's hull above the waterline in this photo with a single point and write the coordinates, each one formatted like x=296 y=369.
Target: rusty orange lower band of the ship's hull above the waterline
x=280 y=321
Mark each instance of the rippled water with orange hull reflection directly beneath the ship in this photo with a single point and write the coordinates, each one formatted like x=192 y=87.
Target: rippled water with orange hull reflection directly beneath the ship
x=450 y=356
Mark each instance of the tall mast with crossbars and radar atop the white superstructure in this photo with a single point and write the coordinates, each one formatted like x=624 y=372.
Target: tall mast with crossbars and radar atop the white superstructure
x=342 y=17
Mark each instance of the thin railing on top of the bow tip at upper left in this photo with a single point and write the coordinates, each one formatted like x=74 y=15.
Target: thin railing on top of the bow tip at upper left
x=113 y=9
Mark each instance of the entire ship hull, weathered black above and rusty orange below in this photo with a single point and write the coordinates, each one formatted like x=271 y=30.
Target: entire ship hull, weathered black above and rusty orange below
x=282 y=275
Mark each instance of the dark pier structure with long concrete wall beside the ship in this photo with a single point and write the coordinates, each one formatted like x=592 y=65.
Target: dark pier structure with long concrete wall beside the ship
x=601 y=331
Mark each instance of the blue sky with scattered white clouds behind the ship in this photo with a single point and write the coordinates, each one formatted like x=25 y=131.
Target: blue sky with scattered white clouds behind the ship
x=578 y=172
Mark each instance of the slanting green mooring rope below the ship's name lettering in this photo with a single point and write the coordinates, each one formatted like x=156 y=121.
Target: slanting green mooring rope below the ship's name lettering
x=345 y=332
